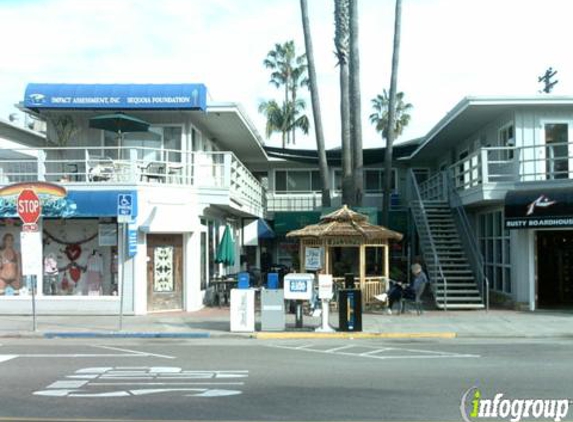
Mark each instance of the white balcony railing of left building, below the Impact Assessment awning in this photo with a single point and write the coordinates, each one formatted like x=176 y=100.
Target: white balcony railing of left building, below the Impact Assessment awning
x=129 y=166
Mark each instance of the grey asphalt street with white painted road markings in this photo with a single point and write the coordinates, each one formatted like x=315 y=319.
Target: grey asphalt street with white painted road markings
x=276 y=380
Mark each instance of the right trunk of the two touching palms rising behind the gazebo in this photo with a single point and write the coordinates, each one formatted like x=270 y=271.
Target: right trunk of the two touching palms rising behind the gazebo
x=355 y=108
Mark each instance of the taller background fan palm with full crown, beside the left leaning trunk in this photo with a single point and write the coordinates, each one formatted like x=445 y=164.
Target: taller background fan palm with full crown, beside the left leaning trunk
x=288 y=70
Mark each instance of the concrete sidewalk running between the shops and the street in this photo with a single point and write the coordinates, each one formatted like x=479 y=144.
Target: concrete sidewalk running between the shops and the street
x=214 y=322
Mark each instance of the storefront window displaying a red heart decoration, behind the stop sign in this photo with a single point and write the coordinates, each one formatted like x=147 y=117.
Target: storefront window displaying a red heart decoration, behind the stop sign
x=80 y=258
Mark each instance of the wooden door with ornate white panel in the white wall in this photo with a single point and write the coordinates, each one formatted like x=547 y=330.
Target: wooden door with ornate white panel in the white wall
x=164 y=272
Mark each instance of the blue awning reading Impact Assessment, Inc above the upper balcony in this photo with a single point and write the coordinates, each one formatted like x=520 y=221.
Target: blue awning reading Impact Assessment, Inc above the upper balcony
x=116 y=96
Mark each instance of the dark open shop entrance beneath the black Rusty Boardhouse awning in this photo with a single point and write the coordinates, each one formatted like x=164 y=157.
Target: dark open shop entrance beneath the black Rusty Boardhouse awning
x=555 y=268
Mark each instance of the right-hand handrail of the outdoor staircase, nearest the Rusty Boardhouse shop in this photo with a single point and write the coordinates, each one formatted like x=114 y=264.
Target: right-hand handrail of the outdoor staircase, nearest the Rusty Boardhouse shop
x=464 y=224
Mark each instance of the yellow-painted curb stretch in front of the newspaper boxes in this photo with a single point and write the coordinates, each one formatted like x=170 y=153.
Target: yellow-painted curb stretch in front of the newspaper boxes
x=351 y=335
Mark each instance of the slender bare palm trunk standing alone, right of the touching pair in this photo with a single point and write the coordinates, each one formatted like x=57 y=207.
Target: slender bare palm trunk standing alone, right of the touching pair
x=391 y=116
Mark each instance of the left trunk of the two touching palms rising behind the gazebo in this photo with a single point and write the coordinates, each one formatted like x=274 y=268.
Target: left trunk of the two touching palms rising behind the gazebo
x=341 y=41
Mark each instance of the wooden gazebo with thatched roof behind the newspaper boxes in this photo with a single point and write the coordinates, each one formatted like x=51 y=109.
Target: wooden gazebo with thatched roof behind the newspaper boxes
x=347 y=228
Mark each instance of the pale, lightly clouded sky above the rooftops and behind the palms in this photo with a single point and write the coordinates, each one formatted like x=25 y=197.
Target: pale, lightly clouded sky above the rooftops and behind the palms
x=449 y=49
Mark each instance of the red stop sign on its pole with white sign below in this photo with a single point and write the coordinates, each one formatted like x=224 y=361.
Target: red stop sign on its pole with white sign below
x=29 y=210
